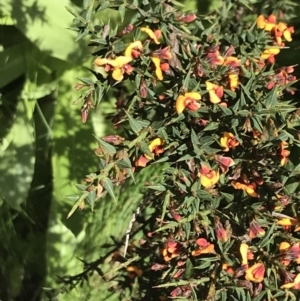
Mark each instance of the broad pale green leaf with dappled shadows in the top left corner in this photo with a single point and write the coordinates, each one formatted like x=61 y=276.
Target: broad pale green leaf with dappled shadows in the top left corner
x=41 y=25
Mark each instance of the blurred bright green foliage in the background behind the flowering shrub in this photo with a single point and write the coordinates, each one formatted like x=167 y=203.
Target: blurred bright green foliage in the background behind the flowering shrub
x=45 y=149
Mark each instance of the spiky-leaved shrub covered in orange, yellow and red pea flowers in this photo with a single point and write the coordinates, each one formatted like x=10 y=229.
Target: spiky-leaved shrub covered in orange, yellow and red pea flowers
x=213 y=112
